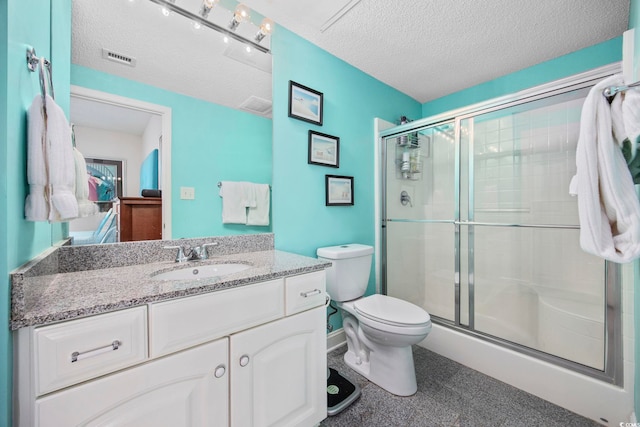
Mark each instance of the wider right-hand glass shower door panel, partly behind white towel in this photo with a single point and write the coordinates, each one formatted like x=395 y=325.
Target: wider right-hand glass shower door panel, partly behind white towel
x=528 y=281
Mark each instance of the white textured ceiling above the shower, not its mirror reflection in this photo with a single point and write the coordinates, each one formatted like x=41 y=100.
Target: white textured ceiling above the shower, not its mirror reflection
x=431 y=48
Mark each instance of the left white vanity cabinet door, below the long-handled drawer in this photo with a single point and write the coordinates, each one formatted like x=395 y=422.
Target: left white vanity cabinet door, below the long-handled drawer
x=186 y=389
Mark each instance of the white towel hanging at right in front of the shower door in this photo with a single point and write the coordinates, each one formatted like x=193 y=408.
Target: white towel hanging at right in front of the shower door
x=608 y=207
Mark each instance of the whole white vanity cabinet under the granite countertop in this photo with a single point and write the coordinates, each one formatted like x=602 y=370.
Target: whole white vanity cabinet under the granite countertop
x=253 y=355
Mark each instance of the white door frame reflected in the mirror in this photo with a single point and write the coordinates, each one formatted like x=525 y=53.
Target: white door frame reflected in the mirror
x=165 y=146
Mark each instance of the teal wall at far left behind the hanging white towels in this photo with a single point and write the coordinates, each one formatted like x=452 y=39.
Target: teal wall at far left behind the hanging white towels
x=22 y=23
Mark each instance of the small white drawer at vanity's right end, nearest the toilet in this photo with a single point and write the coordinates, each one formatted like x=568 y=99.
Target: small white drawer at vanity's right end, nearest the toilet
x=304 y=292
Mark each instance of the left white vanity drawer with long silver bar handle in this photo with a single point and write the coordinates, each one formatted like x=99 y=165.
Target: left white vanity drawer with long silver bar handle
x=74 y=351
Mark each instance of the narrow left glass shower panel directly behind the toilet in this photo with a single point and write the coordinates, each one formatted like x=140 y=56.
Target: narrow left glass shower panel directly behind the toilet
x=420 y=218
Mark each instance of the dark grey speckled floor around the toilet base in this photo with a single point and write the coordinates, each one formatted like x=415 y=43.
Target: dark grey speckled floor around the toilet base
x=449 y=394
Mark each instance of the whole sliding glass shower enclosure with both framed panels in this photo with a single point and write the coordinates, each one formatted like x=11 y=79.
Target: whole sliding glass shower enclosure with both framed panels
x=479 y=229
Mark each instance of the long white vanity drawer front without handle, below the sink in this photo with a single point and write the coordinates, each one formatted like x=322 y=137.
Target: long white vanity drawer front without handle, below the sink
x=178 y=324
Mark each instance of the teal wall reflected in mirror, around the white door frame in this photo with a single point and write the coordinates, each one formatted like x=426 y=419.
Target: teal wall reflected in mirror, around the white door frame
x=209 y=143
